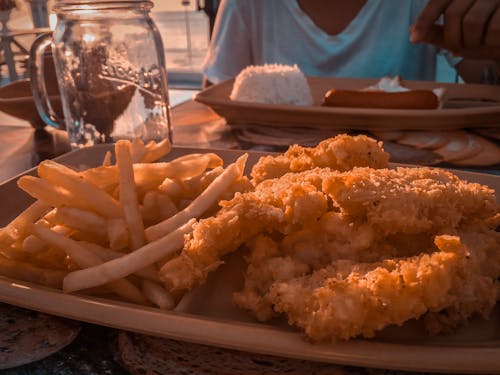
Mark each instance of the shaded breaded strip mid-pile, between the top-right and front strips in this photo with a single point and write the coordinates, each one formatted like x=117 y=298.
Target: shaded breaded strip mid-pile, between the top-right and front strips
x=317 y=244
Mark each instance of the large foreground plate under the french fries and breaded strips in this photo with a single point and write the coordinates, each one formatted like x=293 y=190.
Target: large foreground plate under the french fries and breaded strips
x=207 y=315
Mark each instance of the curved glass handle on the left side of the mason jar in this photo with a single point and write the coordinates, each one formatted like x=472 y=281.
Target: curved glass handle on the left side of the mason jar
x=38 y=86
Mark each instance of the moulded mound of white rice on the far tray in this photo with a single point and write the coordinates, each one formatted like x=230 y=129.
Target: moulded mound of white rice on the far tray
x=272 y=84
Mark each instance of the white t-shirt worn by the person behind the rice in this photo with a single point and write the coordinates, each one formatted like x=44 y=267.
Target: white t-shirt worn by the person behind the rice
x=375 y=43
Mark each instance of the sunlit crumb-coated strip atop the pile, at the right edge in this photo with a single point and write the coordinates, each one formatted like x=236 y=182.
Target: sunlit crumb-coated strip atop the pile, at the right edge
x=410 y=200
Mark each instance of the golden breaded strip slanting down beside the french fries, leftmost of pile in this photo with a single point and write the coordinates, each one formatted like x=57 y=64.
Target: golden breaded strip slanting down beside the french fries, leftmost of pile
x=275 y=205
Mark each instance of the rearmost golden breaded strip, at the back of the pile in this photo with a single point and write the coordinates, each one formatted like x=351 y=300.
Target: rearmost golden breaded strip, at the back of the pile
x=340 y=153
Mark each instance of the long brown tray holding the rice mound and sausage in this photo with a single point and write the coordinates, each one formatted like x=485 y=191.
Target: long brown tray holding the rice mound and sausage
x=466 y=106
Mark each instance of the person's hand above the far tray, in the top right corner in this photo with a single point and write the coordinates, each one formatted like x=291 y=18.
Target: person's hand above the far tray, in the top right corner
x=471 y=28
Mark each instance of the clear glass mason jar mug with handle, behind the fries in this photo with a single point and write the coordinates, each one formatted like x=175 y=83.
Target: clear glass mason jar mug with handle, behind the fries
x=110 y=67
